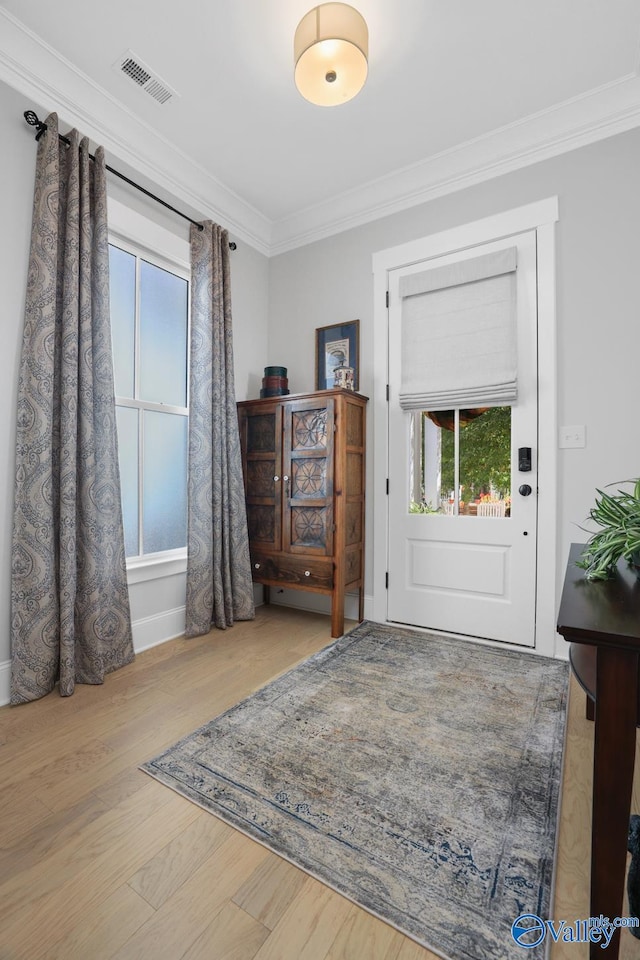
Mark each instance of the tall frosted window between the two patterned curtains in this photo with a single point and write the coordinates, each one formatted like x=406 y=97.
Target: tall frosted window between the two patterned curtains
x=150 y=330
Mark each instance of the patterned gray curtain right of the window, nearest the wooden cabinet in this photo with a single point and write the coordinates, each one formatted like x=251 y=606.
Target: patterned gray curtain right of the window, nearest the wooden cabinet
x=219 y=585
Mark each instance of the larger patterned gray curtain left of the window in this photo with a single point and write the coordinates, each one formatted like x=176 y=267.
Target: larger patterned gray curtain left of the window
x=70 y=619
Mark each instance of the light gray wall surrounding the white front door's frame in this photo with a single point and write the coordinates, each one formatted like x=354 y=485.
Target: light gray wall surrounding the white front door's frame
x=598 y=303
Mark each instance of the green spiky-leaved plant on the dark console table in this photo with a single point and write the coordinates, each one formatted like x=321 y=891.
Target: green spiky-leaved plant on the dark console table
x=618 y=516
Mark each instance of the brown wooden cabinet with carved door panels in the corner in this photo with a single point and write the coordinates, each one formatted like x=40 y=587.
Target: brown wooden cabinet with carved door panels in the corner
x=303 y=459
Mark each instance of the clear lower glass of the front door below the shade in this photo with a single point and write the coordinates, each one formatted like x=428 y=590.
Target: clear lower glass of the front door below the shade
x=461 y=462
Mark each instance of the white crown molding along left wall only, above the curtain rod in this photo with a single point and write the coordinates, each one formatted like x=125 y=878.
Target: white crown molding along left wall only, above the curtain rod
x=35 y=69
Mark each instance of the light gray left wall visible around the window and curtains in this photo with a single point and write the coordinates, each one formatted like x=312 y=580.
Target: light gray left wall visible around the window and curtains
x=157 y=605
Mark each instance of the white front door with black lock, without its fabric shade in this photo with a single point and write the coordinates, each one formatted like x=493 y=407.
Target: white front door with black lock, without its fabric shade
x=462 y=524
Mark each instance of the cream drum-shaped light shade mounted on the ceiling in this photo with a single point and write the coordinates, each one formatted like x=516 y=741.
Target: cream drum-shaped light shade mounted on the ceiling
x=330 y=50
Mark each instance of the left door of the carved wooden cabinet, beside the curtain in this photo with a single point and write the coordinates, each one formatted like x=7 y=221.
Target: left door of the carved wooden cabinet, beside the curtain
x=261 y=436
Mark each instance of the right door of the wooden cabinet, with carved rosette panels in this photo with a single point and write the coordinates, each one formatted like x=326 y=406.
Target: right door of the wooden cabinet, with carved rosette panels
x=308 y=466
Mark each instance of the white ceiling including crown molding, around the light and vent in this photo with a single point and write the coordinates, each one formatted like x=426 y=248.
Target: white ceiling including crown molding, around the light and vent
x=458 y=90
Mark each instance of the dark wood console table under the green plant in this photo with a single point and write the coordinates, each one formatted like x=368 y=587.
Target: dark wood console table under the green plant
x=601 y=621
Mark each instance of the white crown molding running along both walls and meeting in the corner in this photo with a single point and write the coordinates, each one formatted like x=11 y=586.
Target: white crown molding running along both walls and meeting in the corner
x=36 y=70
